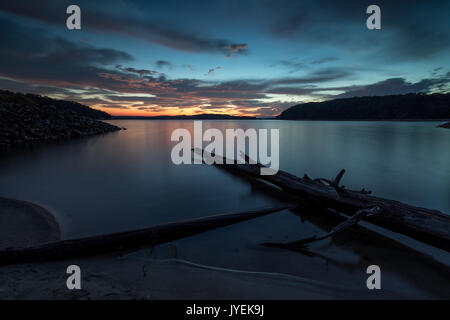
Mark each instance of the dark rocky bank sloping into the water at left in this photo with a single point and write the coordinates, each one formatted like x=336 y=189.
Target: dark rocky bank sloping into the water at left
x=34 y=123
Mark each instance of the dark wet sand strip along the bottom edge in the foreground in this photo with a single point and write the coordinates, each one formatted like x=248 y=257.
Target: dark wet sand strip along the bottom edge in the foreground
x=110 y=277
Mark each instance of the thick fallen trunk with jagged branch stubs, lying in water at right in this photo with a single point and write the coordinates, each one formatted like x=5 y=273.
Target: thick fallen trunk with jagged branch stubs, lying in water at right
x=428 y=226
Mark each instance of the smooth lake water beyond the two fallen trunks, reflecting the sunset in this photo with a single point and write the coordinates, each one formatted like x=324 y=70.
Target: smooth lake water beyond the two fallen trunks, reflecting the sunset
x=126 y=179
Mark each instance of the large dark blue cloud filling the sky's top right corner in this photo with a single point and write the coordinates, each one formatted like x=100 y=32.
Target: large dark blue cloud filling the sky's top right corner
x=411 y=30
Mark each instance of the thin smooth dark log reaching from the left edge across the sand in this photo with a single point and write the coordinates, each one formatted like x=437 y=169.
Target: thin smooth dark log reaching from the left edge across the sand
x=123 y=241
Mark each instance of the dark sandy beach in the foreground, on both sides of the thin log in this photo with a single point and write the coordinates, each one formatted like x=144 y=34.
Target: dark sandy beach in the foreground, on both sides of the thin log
x=148 y=274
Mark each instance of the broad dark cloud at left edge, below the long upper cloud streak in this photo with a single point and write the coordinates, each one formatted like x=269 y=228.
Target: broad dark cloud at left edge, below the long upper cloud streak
x=37 y=57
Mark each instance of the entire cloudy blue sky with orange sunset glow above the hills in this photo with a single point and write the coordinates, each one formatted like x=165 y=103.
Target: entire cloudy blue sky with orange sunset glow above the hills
x=254 y=57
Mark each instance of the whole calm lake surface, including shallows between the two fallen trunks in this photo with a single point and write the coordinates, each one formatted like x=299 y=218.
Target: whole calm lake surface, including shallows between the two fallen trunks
x=126 y=180
